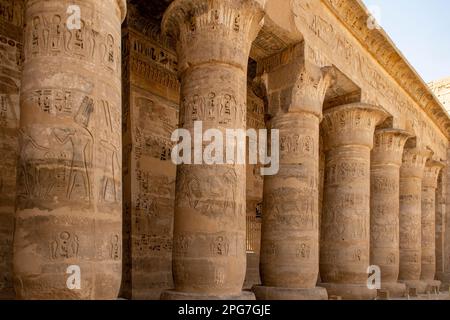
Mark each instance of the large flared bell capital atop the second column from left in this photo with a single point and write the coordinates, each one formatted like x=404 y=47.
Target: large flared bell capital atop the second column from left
x=209 y=31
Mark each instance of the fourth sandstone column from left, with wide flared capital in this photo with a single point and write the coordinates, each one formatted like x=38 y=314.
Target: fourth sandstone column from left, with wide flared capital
x=345 y=230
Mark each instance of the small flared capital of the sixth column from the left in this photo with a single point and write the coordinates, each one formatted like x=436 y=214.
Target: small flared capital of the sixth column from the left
x=414 y=160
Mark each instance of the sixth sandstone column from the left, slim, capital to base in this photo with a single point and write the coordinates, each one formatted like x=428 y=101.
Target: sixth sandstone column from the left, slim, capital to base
x=411 y=174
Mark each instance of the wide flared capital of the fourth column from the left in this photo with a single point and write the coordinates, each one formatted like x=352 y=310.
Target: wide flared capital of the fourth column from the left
x=352 y=124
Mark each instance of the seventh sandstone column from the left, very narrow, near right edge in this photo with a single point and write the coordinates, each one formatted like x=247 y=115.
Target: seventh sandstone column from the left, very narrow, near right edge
x=429 y=187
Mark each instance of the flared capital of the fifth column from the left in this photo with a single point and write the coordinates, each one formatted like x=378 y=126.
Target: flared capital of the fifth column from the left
x=389 y=145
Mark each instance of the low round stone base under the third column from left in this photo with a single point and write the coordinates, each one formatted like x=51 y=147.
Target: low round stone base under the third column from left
x=276 y=293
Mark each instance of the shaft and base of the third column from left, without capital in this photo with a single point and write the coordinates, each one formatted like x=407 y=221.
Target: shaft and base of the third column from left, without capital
x=290 y=229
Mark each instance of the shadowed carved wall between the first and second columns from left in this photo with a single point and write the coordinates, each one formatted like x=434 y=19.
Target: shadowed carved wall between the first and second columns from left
x=150 y=117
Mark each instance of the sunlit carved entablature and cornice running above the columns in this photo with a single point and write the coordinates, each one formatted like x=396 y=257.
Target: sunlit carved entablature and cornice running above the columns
x=345 y=53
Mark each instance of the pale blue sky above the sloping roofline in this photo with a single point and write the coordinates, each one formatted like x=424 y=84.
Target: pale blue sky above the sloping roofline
x=421 y=30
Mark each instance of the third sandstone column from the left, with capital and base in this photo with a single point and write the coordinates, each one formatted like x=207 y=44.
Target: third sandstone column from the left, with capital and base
x=290 y=229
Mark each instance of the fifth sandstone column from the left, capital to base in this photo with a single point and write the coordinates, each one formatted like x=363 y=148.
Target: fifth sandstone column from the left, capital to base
x=386 y=159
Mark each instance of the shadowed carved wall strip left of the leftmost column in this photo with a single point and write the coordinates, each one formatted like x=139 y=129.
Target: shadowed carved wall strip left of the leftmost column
x=11 y=21
